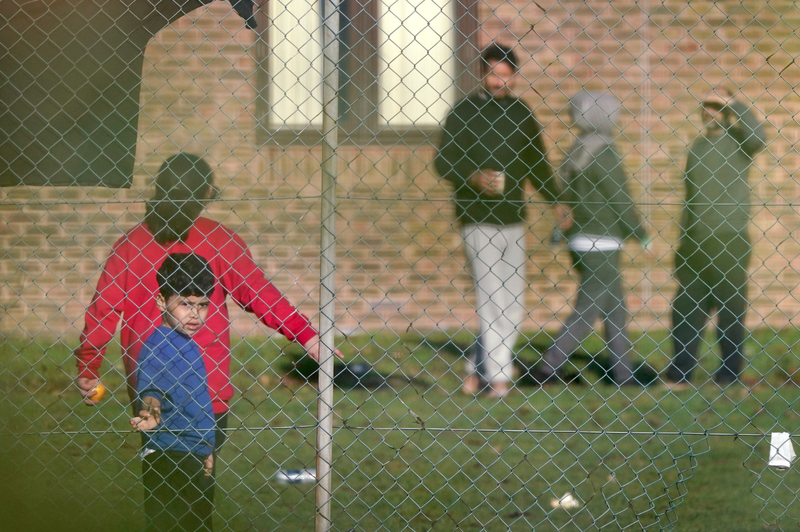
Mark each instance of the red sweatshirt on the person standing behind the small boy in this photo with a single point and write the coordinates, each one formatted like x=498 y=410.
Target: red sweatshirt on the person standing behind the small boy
x=127 y=289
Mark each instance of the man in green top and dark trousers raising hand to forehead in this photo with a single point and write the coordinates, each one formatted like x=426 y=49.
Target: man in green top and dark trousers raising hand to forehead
x=711 y=264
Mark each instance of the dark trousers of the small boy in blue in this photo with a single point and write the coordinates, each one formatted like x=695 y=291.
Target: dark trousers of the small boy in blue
x=178 y=496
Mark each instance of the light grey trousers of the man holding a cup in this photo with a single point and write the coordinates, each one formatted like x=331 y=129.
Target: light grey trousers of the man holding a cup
x=497 y=258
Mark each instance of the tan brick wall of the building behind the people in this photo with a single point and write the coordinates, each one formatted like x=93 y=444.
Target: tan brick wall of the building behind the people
x=400 y=255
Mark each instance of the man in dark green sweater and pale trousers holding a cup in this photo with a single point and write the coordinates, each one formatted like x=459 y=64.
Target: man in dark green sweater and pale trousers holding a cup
x=491 y=147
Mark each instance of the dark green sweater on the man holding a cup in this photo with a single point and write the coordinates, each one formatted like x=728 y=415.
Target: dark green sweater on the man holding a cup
x=499 y=134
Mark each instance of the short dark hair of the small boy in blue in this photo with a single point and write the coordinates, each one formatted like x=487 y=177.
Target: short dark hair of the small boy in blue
x=185 y=275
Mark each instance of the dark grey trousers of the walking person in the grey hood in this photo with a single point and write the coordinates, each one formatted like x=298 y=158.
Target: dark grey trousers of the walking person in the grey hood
x=599 y=296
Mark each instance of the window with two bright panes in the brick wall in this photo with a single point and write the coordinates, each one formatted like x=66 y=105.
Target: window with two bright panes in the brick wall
x=400 y=68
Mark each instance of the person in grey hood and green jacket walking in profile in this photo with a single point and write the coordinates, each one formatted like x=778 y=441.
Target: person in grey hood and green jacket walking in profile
x=604 y=216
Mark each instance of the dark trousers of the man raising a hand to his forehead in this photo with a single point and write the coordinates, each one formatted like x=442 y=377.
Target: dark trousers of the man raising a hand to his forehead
x=712 y=275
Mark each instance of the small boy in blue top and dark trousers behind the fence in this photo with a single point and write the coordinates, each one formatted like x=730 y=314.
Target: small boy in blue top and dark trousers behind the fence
x=175 y=413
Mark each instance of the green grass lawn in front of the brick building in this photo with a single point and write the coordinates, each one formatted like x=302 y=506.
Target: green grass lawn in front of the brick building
x=416 y=454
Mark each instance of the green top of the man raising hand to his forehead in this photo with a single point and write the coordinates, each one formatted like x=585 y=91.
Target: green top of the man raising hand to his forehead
x=718 y=194
